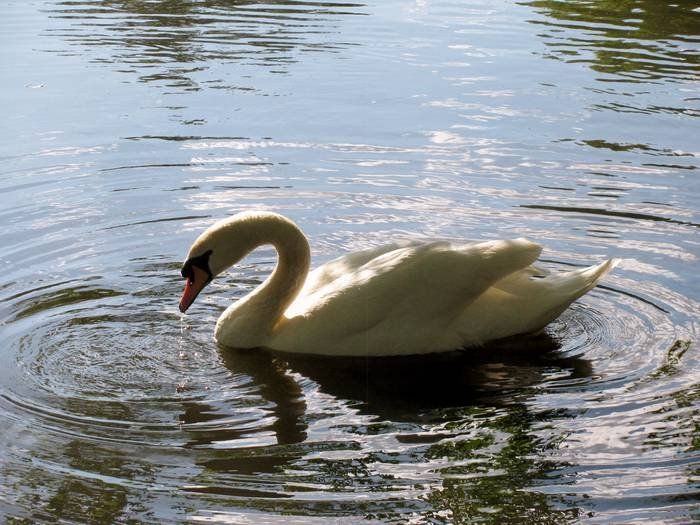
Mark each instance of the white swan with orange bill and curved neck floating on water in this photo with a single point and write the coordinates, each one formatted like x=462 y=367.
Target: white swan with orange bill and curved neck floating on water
x=402 y=298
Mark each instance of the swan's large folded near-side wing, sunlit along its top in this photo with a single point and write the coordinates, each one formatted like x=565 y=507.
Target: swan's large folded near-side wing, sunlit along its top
x=403 y=297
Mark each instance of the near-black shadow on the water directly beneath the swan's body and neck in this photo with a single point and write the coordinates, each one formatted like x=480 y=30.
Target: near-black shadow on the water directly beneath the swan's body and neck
x=393 y=387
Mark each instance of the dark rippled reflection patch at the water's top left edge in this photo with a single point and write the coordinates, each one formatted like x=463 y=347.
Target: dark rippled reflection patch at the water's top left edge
x=174 y=44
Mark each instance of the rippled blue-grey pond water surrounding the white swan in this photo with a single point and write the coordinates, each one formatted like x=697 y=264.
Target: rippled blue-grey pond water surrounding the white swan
x=131 y=126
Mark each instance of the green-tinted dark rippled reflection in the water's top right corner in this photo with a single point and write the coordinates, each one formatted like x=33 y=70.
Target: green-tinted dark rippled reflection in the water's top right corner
x=634 y=41
